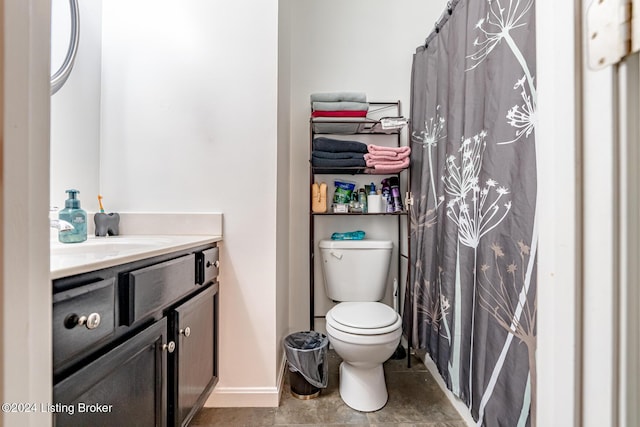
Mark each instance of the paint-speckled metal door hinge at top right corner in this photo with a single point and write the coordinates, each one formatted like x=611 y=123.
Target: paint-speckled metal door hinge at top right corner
x=610 y=32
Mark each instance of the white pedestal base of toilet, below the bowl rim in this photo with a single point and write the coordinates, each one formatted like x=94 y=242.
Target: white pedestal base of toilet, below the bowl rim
x=363 y=389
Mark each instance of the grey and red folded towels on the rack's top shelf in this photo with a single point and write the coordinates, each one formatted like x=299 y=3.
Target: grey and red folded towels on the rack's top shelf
x=339 y=104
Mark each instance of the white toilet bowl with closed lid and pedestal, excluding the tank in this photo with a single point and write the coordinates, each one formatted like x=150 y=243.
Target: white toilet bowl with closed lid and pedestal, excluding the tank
x=364 y=335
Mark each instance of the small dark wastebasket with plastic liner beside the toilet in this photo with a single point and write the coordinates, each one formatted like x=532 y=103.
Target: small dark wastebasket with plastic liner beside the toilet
x=307 y=359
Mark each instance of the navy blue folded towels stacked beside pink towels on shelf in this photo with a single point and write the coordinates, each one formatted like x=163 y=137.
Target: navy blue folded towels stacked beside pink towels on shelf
x=337 y=153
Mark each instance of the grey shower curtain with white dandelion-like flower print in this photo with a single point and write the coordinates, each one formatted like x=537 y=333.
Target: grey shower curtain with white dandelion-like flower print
x=472 y=289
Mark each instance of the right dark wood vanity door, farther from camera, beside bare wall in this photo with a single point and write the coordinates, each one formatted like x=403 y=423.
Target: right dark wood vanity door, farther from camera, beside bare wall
x=194 y=364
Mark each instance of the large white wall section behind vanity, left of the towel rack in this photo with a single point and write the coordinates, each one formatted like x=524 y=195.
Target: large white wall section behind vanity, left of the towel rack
x=189 y=123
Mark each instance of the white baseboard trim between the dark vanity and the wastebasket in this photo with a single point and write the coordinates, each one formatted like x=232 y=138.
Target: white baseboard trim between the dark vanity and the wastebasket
x=248 y=397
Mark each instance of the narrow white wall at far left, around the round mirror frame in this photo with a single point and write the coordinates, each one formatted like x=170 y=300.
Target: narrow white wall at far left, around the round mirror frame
x=75 y=108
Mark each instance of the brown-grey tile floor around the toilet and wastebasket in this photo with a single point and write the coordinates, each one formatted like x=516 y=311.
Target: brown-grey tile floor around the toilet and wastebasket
x=415 y=400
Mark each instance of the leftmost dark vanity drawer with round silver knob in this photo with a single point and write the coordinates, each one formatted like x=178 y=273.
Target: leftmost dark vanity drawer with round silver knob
x=82 y=317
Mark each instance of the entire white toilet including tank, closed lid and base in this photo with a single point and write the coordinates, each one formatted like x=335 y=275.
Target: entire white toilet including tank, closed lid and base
x=361 y=330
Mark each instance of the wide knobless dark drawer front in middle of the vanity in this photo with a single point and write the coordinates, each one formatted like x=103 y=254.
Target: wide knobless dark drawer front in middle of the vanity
x=151 y=288
